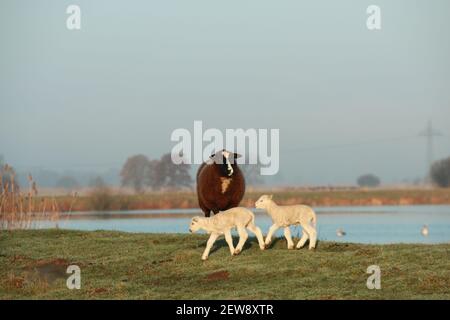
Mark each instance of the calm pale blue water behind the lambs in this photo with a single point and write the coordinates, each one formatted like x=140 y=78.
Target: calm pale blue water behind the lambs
x=396 y=224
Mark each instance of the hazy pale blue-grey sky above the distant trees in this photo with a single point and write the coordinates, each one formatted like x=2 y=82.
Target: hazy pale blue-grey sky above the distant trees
x=137 y=70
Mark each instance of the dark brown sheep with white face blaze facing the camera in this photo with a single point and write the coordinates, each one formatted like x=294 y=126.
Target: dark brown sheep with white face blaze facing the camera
x=220 y=183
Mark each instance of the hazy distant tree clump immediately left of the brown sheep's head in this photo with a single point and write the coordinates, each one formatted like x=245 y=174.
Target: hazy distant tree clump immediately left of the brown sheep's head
x=164 y=173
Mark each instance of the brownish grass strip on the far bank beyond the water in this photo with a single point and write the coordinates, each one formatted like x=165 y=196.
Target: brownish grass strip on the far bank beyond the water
x=184 y=199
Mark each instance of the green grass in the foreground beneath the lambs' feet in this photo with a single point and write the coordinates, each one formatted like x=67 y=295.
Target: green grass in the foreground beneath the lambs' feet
x=117 y=265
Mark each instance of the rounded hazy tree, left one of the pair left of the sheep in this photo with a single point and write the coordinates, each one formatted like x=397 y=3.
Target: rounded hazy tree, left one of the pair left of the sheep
x=135 y=171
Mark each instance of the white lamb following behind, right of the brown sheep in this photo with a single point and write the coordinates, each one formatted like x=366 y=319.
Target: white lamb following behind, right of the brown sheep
x=285 y=216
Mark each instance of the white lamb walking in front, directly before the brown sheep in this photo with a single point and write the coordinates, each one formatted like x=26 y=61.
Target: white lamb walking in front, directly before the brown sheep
x=222 y=223
